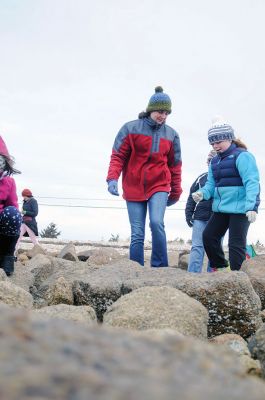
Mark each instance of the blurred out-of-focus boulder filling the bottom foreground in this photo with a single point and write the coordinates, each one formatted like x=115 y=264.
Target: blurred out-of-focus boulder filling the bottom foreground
x=54 y=359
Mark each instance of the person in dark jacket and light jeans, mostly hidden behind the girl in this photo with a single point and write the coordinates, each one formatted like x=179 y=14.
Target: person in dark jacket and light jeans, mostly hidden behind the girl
x=197 y=216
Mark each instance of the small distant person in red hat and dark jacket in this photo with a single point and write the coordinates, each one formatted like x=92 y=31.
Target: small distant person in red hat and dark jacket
x=29 y=212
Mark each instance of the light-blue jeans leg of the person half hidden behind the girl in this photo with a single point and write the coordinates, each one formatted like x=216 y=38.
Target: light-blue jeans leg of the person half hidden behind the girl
x=197 y=249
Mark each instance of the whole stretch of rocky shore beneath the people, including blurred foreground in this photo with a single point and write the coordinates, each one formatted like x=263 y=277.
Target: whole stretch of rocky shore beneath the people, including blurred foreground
x=81 y=321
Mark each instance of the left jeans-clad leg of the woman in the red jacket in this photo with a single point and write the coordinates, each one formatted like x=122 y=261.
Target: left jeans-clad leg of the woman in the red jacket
x=137 y=216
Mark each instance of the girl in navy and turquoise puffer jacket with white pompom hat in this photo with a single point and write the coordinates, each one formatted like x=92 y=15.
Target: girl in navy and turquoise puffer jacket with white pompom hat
x=233 y=183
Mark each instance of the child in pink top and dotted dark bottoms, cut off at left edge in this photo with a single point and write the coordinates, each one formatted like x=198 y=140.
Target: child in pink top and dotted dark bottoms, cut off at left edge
x=10 y=217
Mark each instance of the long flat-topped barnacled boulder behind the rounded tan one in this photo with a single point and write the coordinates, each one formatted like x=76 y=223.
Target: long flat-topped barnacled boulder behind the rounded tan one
x=230 y=299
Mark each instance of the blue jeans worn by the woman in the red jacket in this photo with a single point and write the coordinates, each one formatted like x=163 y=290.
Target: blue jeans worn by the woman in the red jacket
x=137 y=215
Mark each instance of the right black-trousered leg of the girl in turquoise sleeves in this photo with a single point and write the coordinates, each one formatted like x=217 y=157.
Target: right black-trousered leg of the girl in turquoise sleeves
x=237 y=241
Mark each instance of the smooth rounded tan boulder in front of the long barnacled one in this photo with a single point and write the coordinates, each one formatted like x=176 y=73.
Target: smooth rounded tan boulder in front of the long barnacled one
x=159 y=308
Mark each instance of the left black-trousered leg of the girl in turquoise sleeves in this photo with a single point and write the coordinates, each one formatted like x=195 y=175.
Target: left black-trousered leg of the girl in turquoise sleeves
x=212 y=239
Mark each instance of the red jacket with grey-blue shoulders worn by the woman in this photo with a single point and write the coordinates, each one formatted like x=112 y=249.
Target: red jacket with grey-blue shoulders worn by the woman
x=149 y=157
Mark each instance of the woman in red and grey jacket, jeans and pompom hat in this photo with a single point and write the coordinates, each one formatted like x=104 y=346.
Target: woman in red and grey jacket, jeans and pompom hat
x=147 y=153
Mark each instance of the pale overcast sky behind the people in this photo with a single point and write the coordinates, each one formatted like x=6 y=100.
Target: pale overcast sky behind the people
x=72 y=72
